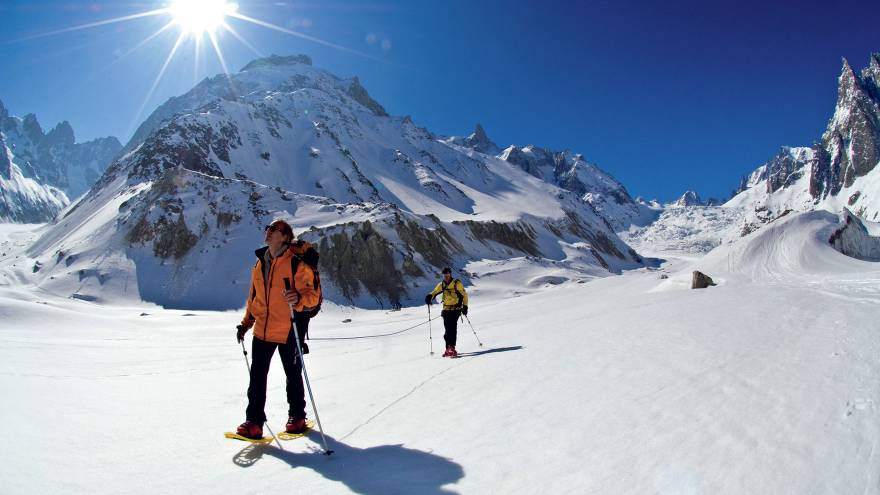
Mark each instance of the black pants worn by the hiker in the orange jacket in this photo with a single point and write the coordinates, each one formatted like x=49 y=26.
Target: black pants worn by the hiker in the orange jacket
x=261 y=353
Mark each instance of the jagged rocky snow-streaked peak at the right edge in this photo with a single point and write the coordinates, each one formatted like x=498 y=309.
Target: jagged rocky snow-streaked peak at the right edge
x=838 y=171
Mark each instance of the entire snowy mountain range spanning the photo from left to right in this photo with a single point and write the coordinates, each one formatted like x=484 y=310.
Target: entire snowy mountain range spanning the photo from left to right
x=388 y=203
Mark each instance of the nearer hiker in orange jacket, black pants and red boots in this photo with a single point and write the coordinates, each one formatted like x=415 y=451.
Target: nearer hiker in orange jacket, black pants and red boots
x=268 y=312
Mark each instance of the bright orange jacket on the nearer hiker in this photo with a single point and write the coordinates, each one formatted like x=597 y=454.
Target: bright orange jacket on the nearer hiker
x=267 y=310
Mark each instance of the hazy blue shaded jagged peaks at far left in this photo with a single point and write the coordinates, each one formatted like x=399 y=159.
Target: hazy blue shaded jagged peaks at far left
x=55 y=158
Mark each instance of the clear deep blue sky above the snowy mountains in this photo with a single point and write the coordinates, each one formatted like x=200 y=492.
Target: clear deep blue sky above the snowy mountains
x=666 y=96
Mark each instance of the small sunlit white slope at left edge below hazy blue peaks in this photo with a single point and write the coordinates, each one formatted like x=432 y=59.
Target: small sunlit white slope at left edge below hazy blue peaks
x=22 y=199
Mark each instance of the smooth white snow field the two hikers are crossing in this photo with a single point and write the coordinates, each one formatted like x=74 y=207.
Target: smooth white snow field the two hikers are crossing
x=766 y=383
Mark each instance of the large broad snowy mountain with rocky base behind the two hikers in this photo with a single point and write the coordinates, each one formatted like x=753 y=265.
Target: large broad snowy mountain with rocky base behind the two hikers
x=175 y=220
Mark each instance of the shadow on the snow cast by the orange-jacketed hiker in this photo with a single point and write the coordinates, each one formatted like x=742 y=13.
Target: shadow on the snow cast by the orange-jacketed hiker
x=380 y=470
